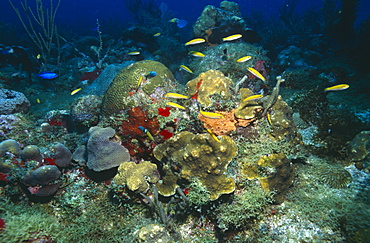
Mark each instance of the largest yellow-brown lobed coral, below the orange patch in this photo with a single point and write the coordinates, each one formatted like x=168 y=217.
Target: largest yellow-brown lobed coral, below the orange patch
x=202 y=157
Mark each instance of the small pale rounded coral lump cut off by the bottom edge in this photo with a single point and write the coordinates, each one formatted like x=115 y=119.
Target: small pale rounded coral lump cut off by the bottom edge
x=153 y=233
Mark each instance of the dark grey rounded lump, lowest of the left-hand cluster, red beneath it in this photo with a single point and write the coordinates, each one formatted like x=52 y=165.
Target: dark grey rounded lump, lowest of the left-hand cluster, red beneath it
x=42 y=175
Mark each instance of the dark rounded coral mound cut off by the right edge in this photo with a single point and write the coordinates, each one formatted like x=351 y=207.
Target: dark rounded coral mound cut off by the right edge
x=360 y=146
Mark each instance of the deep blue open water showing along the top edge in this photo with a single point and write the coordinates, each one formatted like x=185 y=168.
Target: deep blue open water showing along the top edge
x=81 y=15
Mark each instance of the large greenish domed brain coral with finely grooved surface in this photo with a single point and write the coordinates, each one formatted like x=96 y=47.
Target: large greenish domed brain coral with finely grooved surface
x=127 y=81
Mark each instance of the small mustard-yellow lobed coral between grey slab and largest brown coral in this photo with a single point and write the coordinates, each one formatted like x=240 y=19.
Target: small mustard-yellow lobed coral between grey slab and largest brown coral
x=136 y=176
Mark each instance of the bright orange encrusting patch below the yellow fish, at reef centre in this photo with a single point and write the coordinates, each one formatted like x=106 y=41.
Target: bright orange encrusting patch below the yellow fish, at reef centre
x=225 y=125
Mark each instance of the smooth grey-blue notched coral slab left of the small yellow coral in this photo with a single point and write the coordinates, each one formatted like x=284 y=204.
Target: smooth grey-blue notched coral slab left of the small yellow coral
x=103 y=154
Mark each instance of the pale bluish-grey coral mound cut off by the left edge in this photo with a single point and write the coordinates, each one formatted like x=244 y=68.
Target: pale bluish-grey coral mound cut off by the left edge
x=13 y=102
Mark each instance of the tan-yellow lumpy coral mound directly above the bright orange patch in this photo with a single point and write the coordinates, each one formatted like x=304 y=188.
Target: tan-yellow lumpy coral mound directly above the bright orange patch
x=208 y=84
